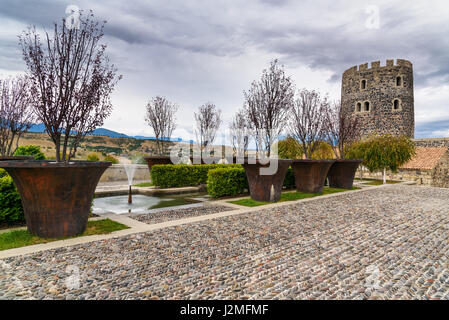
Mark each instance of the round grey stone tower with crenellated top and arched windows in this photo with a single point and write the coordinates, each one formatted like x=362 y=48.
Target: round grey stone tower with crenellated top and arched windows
x=381 y=97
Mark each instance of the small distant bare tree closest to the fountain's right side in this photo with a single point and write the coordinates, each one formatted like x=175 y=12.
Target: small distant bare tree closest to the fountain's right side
x=161 y=117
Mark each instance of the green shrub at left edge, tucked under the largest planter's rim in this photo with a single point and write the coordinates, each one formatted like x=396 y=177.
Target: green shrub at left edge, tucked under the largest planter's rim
x=10 y=204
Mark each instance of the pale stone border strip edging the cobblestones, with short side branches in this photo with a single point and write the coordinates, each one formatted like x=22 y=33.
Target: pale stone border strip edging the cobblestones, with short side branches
x=139 y=227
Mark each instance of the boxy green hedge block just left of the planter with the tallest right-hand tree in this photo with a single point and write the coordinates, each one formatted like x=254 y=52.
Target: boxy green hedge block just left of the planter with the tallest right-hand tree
x=226 y=182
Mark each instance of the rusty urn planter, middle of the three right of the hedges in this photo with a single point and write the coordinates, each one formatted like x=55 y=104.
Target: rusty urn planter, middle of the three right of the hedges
x=310 y=175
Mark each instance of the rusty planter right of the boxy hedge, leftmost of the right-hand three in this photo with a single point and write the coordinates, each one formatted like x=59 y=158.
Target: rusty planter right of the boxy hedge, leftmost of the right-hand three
x=266 y=188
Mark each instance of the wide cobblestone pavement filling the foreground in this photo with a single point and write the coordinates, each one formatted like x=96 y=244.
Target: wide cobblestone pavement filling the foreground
x=385 y=243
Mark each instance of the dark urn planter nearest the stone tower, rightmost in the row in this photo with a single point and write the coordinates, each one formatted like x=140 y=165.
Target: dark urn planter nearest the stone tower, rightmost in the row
x=342 y=173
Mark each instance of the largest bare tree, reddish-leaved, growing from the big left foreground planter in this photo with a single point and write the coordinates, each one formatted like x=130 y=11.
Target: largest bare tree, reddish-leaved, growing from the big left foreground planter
x=71 y=81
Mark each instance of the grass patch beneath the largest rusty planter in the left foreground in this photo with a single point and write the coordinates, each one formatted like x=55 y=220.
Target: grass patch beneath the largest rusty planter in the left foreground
x=22 y=238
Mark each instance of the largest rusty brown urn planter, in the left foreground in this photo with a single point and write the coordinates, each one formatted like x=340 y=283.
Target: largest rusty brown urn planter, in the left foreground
x=56 y=197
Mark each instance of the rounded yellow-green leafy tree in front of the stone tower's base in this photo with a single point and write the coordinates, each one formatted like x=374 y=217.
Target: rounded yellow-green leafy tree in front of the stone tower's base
x=380 y=153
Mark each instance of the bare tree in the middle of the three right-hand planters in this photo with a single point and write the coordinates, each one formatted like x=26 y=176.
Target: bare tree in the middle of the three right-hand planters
x=308 y=123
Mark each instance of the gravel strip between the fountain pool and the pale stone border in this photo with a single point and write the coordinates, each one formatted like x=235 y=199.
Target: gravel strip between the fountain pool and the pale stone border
x=175 y=214
